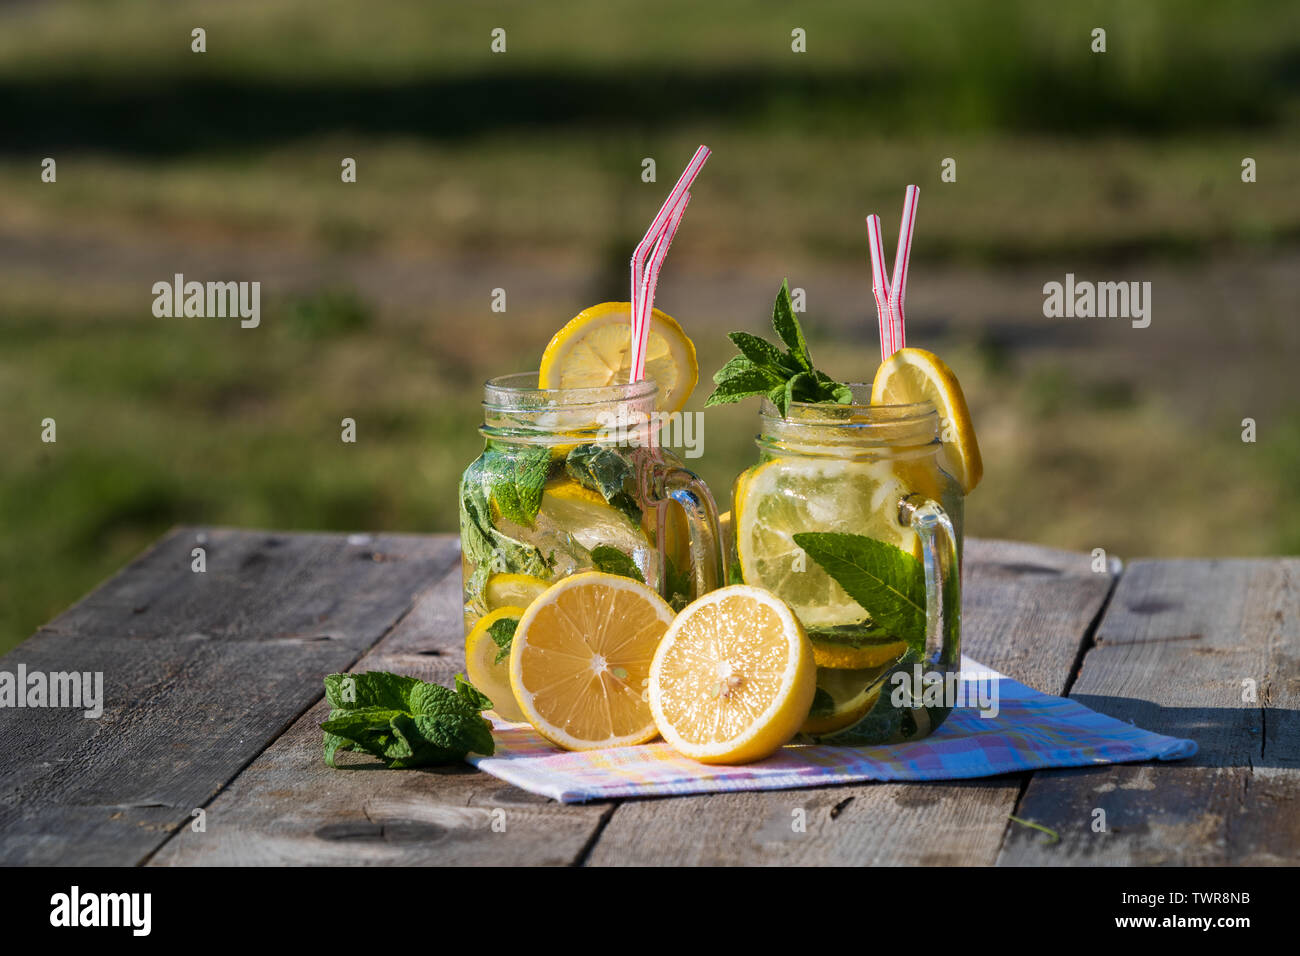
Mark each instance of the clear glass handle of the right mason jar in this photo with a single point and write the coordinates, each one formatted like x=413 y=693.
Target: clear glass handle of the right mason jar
x=943 y=581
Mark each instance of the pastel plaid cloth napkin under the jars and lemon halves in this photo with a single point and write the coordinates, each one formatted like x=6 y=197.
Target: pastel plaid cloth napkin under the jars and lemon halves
x=1030 y=732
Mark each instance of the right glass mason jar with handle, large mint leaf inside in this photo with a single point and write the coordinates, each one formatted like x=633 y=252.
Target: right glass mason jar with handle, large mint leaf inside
x=852 y=517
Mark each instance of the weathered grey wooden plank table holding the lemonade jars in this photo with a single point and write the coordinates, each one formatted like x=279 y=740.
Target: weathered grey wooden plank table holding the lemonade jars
x=213 y=686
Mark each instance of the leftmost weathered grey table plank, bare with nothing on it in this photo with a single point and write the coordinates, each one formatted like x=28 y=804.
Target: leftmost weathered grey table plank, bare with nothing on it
x=201 y=672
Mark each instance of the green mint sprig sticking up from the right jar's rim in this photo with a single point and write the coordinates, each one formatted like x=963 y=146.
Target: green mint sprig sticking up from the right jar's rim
x=783 y=375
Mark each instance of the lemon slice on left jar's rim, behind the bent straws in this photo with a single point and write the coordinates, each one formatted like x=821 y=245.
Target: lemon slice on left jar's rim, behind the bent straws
x=593 y=351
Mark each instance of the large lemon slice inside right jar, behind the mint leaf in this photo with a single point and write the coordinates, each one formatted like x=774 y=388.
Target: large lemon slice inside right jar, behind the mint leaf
x=788 y=496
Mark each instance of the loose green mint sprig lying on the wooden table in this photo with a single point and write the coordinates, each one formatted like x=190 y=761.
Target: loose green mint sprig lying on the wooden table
x=405 y=721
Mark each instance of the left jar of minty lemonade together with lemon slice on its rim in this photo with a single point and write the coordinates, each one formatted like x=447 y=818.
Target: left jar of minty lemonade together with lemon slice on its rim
x=573 y=478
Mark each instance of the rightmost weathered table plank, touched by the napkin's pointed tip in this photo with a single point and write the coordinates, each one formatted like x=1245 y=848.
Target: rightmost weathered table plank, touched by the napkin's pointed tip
x=1172 y=655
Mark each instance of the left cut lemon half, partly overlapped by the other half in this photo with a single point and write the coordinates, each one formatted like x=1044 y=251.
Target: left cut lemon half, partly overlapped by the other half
x=580 y=661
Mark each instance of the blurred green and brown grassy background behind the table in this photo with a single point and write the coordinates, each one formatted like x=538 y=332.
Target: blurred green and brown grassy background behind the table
x=523 y=172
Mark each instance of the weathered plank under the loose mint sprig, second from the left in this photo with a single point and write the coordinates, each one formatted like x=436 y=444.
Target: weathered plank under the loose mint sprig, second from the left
x=289 y=808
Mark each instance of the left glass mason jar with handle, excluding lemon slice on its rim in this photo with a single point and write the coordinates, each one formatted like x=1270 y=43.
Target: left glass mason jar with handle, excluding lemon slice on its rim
x=574 y=481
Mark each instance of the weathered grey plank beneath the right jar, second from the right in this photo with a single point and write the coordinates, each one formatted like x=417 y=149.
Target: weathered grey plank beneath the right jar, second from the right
x=1025 y=612
